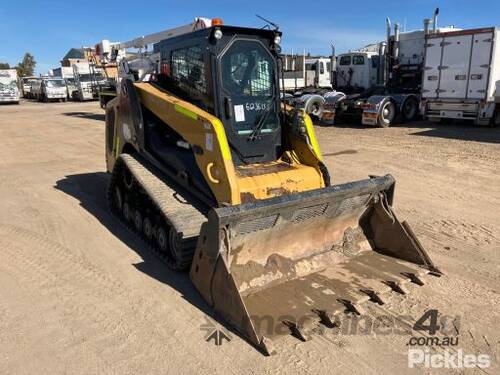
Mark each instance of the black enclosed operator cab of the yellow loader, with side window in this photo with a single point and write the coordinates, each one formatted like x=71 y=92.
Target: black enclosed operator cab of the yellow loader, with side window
x=230 y=72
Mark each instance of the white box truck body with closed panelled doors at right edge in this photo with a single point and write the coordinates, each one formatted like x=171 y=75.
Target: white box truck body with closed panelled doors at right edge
x=462 y=76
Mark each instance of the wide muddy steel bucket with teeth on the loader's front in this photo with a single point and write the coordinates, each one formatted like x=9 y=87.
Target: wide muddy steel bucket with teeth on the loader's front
x=282 y=265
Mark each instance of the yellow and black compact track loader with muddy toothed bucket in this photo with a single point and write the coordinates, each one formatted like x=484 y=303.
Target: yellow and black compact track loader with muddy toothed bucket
x=220 y=177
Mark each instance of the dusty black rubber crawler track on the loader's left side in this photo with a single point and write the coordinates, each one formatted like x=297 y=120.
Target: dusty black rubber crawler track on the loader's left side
x=169 y=204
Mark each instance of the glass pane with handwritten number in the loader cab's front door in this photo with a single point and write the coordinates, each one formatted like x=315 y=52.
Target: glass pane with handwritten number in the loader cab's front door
x=248 y=77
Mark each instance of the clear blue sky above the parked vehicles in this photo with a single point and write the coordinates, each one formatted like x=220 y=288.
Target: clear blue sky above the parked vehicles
x=48 y=28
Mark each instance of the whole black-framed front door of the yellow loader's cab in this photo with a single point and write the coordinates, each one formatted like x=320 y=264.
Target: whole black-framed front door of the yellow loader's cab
x=249 y=101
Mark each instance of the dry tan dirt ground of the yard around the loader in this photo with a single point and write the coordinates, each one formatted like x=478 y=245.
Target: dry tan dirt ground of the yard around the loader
x=81 y=295
